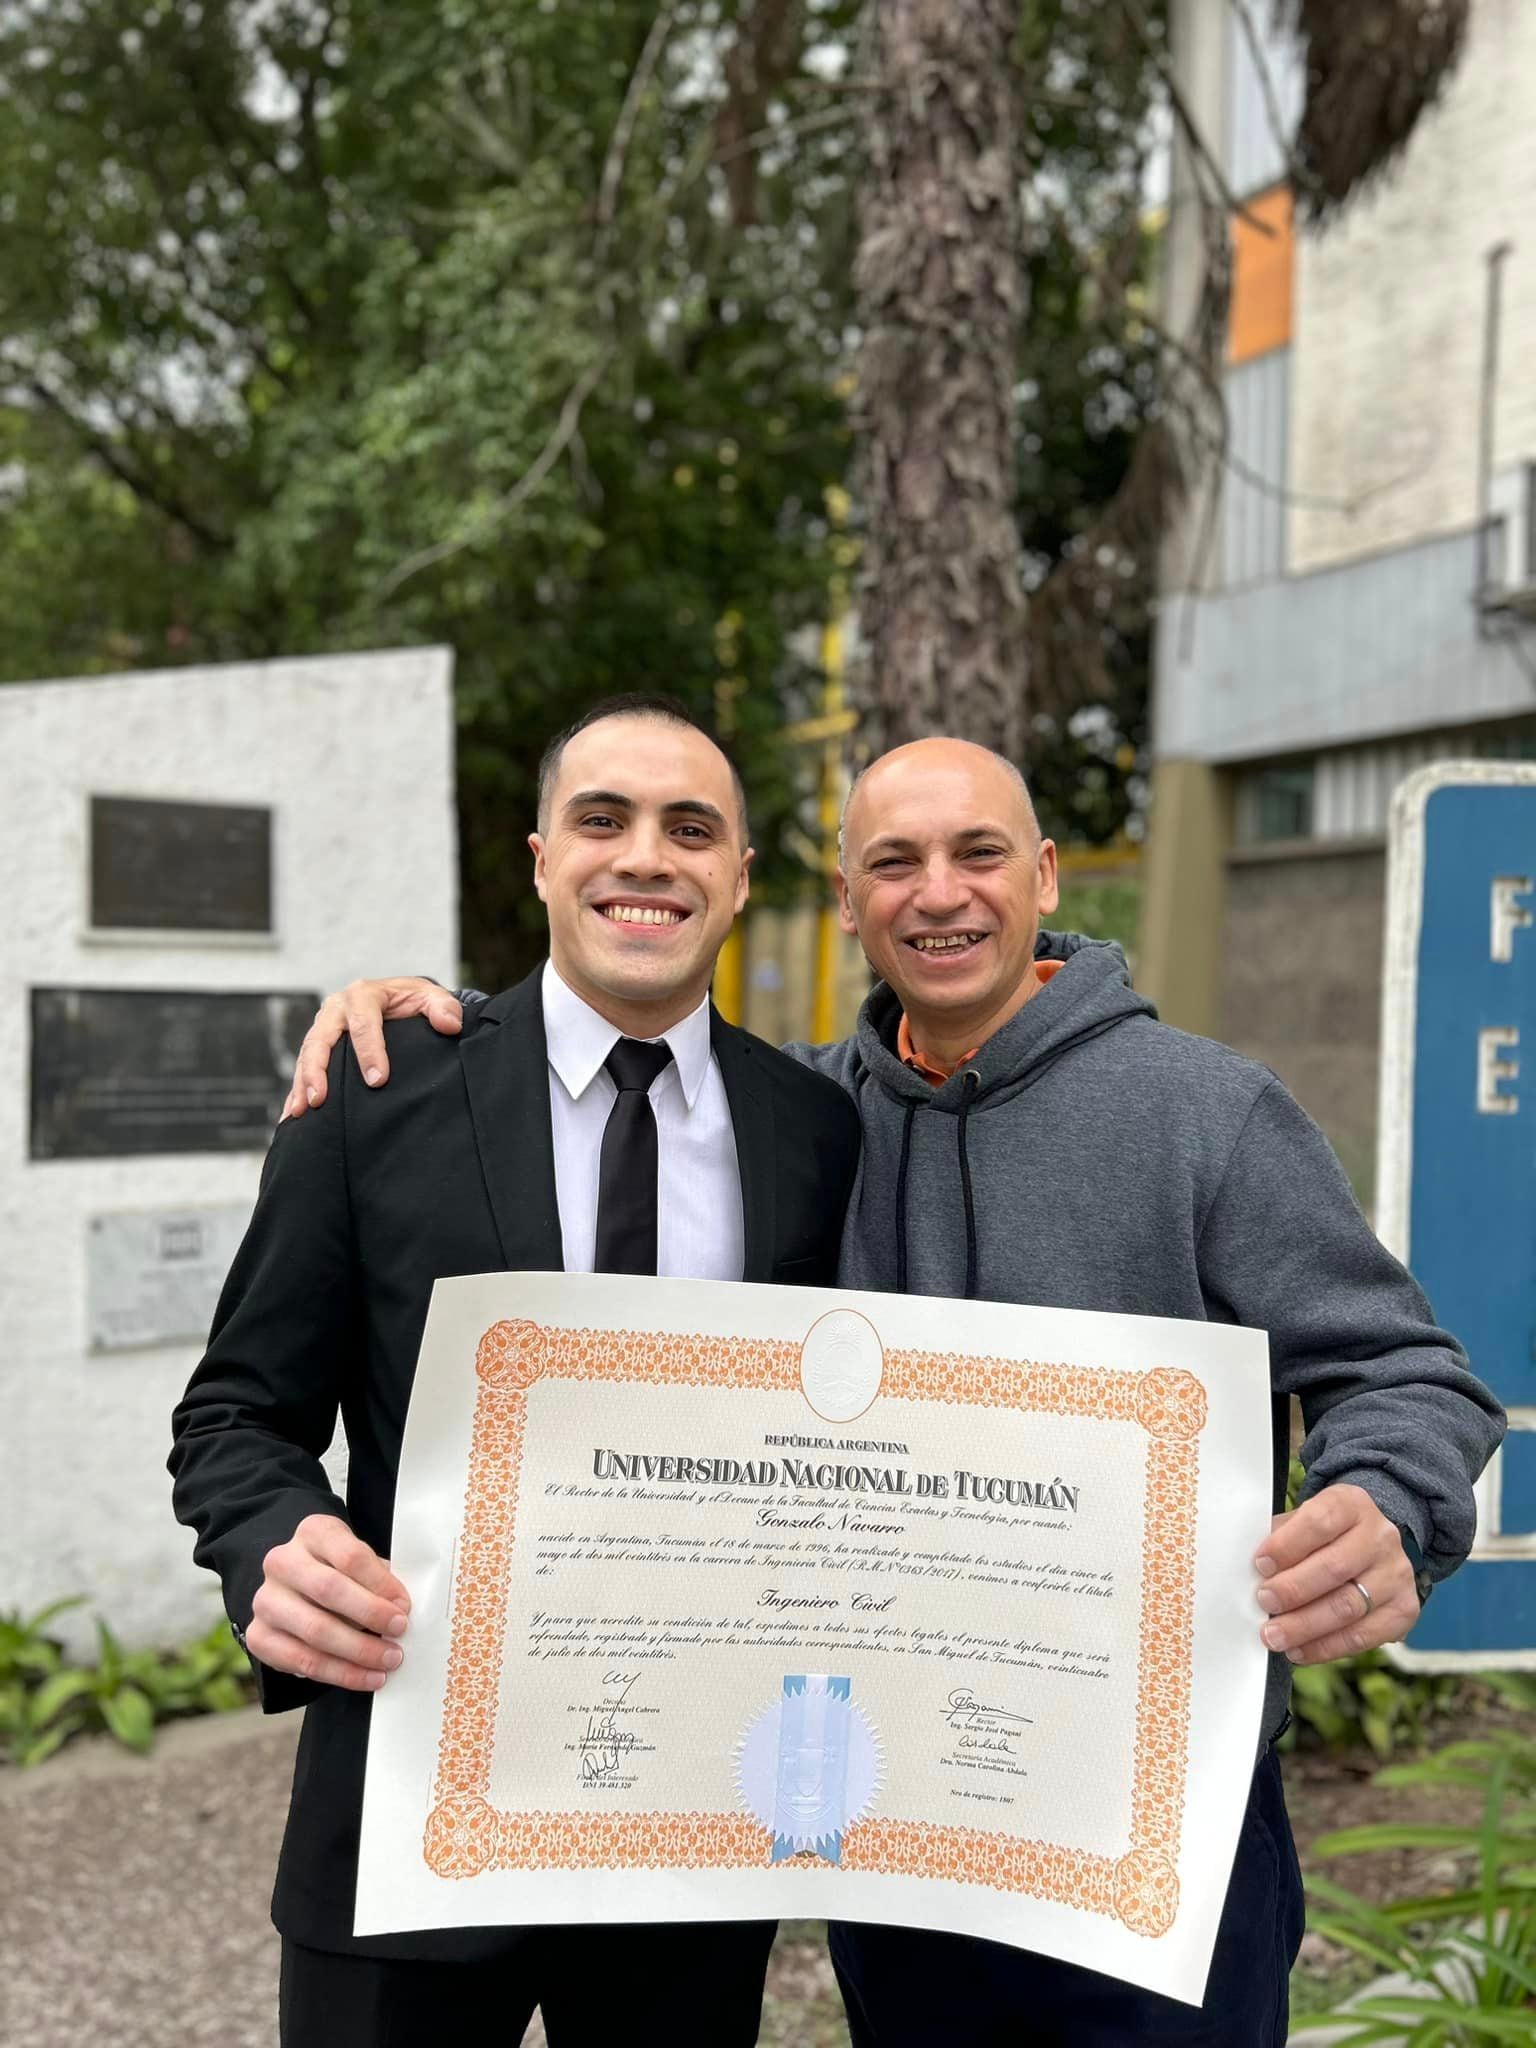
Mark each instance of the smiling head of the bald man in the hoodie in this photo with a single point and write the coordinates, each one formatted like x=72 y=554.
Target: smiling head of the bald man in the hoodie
x=945 y=878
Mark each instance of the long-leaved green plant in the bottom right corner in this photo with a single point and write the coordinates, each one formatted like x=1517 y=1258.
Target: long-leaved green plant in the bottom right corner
x=1461 y=1965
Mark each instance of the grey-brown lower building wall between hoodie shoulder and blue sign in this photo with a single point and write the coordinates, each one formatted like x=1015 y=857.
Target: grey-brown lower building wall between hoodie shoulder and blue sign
x=1302 y=984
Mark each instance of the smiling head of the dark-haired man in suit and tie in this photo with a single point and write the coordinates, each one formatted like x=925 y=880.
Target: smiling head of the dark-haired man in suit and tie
x=642 y=867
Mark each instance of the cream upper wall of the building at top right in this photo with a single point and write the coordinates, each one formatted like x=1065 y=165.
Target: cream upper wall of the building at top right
x=1390 y=316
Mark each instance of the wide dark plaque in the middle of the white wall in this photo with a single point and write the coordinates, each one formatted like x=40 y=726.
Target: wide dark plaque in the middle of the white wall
x=120 y=1072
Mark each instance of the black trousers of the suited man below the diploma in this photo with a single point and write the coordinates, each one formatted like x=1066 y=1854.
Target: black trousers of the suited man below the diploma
x=595 y=1986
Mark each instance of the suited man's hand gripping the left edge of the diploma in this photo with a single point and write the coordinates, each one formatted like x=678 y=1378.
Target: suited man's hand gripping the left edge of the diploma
x=329 y=1609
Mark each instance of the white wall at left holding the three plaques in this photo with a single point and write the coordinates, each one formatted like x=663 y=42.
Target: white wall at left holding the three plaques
x=355 y=759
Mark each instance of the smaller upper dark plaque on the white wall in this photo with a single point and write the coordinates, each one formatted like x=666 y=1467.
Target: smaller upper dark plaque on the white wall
x=179 y=867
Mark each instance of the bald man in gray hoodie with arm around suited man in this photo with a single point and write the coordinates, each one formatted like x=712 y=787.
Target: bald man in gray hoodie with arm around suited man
x=1035 y=1136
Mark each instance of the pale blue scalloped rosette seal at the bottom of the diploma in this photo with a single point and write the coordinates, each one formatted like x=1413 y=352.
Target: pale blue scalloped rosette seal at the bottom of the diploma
x=810 y=1766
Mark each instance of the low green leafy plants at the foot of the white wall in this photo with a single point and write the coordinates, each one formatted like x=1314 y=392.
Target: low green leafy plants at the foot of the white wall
x=46 y=1699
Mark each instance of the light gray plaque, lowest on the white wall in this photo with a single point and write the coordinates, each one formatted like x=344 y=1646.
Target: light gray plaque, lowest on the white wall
x=155 y=1277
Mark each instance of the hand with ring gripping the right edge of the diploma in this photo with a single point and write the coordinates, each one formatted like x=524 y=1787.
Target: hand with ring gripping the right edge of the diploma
x=1336 y=1578
